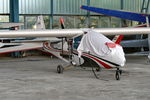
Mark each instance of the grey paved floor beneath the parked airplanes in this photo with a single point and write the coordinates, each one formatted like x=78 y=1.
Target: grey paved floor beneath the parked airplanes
x=35 y=78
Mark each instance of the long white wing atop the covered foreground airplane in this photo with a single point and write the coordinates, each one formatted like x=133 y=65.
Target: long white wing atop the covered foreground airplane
x=72 y=32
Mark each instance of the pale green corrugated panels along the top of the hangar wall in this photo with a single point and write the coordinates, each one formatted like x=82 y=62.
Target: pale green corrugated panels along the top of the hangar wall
x=67 y=6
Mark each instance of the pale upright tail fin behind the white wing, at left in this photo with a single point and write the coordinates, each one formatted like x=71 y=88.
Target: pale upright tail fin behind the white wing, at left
x=40 y=23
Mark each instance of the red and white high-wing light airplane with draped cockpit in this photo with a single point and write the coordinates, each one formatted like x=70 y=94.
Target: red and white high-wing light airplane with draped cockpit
x=94 y=45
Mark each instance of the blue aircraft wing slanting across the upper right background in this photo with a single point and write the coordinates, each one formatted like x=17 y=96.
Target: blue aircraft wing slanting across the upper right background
x=119 y=13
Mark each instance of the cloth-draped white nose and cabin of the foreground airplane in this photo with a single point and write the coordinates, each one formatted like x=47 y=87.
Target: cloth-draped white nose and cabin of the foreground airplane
x=102 y=50
